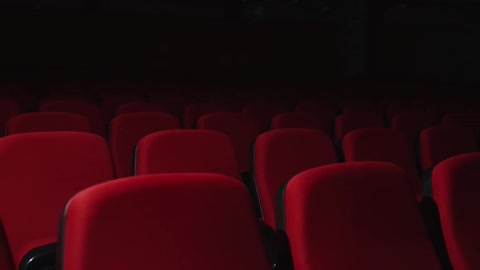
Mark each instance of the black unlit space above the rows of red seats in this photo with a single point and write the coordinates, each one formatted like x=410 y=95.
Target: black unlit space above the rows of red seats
x=294 y=42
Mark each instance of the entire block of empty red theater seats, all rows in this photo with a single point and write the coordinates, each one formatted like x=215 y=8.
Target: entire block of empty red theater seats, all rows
x=193 y=162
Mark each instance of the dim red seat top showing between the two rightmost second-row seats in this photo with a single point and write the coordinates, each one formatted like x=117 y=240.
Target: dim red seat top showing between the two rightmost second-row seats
x=410 y=124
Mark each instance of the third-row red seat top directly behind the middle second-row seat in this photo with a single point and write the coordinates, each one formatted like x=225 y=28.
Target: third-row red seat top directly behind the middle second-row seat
x=303 y=120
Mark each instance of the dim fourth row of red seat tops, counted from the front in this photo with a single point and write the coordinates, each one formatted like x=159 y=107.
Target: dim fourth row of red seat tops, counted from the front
x=262 y=110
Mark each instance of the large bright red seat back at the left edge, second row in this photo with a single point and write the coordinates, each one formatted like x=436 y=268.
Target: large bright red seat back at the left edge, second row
x=40 y=172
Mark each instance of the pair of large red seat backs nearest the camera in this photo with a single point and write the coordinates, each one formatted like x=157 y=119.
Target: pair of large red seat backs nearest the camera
x=360 y=211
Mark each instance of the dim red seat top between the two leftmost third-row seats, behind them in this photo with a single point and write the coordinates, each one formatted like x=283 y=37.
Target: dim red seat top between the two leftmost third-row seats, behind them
x=83 y=108
